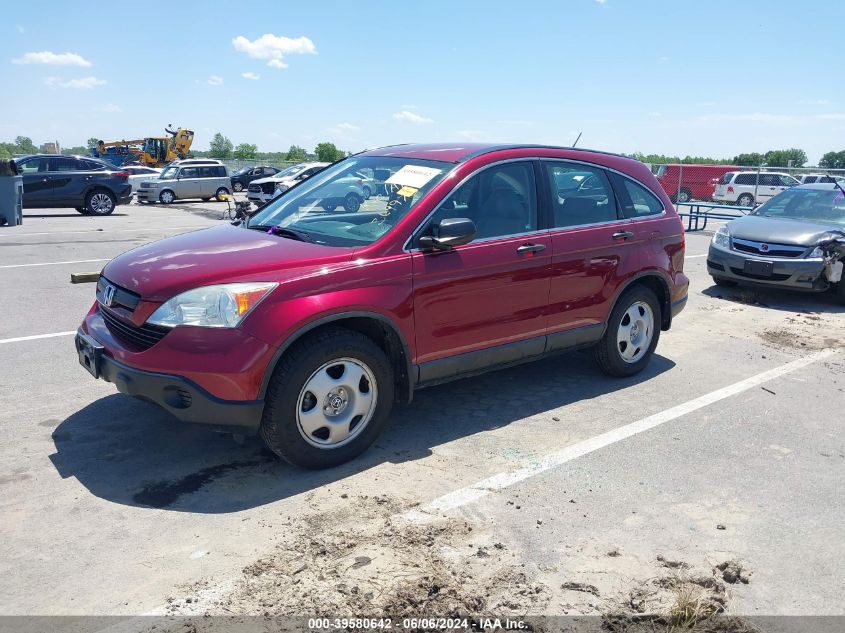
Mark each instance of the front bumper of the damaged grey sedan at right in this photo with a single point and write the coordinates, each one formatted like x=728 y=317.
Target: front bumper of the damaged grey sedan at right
x=787 y=272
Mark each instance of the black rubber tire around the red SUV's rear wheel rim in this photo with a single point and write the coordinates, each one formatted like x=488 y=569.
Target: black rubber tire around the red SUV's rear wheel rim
x=607 y=351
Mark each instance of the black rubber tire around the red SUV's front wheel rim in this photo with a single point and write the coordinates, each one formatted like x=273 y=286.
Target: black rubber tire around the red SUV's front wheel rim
x=279 y=427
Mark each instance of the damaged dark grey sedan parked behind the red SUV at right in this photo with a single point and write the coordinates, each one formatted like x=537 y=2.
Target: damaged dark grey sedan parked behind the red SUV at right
x=778 y=244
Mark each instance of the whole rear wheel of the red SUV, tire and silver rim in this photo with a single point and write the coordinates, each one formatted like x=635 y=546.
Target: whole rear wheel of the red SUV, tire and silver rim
x=632 y=333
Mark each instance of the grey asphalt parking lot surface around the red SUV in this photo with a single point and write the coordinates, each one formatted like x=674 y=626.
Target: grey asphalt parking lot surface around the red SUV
x=547 y=487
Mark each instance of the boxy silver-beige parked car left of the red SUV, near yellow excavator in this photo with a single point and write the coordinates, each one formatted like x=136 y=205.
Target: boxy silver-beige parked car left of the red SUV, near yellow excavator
x=204 y=179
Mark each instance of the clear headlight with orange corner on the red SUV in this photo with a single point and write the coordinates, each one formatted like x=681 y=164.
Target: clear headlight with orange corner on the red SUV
x=225 y=305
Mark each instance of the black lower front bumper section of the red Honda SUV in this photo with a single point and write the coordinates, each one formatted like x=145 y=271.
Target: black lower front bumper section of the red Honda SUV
x=181 y=397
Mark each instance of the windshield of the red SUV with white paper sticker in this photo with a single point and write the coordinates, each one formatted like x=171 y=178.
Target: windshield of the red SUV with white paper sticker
x=332 y=208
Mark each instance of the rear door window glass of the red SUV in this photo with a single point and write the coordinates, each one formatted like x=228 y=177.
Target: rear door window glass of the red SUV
x=580 y=195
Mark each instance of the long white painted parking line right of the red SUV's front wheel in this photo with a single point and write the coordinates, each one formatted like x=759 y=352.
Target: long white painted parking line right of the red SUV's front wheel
x=481 y=489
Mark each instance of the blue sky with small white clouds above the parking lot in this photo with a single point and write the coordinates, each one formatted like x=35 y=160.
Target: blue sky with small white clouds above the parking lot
x=703 y=78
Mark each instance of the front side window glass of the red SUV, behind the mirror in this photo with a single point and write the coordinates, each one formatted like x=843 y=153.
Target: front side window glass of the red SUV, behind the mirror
x=501 y=200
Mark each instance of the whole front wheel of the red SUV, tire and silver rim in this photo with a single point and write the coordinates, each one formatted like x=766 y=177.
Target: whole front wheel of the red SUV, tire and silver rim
x=328 y=399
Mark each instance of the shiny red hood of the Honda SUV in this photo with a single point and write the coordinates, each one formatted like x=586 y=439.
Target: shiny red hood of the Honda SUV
x=162 y=269
